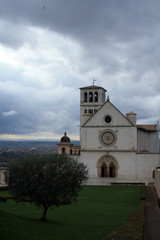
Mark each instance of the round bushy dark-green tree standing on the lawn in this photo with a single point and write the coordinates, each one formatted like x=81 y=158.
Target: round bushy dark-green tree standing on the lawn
x=46 y=181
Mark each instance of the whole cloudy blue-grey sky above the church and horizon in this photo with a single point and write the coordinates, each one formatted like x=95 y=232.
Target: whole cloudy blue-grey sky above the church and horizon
x=51 y=48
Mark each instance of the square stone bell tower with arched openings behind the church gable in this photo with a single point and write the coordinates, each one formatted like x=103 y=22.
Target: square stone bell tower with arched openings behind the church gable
x=91 y=99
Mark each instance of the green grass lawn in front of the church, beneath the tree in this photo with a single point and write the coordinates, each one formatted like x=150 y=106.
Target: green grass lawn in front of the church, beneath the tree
x=98 y=211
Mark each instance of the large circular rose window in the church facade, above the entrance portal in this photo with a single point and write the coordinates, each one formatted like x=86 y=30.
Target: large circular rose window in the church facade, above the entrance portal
x=107 y=137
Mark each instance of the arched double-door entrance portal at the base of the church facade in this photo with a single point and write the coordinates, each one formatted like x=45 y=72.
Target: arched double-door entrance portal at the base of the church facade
x=107 y=166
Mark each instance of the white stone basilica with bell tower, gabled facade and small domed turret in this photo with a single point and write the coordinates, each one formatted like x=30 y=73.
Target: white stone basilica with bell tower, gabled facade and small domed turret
x=112 y=145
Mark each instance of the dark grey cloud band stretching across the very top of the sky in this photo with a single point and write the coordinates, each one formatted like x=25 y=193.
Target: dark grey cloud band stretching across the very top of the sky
x=87 y=20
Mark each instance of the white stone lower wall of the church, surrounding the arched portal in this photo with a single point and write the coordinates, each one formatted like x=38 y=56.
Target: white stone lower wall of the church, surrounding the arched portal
x=132 y=167
